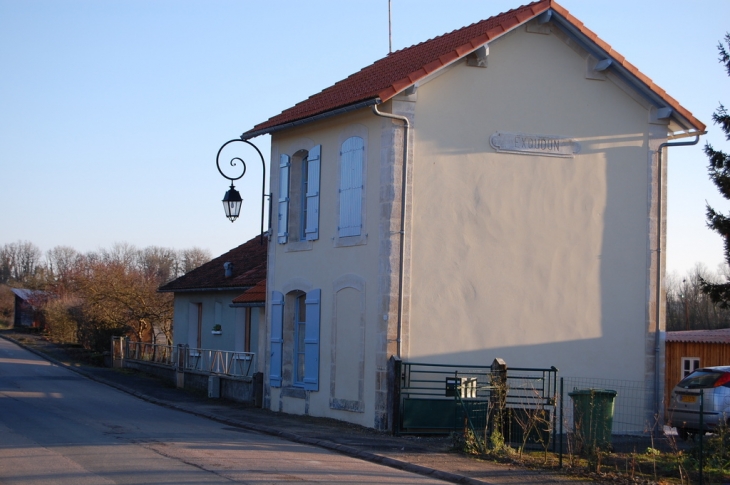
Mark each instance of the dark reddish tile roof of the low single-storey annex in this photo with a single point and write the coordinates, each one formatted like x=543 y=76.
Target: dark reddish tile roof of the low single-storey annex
x=249 y=268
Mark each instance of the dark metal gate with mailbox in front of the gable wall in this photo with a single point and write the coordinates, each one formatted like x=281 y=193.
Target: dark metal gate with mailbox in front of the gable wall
x=439 y=399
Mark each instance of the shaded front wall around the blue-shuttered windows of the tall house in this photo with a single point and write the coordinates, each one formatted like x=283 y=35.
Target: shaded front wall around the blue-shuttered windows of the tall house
x=324 y=262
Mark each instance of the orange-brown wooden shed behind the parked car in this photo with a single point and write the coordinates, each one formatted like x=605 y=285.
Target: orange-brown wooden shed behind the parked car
x=690 y=349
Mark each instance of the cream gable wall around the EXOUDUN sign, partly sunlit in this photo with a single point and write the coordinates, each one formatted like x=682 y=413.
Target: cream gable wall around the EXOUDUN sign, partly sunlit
x=539 y=260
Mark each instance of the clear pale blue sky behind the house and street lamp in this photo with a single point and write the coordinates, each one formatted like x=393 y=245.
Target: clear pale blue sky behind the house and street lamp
x=111 y=112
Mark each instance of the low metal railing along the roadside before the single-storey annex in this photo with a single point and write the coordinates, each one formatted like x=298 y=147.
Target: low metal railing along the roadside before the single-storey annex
x=219 y=362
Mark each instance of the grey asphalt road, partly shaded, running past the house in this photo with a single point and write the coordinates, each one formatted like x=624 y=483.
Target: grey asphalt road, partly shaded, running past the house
x=57 y=427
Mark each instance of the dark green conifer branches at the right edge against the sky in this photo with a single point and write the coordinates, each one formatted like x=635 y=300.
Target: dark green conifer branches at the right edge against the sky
x=719 y=171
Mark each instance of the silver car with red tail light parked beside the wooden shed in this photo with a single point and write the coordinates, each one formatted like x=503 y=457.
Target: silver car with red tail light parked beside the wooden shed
x=684 y=405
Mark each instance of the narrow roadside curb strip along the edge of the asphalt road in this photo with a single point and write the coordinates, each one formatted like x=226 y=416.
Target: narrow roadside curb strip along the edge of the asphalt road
x=286 y=435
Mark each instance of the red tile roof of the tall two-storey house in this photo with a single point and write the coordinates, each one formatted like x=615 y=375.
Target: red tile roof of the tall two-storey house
x=394 y=73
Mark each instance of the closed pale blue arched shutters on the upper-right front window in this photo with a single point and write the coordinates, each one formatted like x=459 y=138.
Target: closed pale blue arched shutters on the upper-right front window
x=351 y=182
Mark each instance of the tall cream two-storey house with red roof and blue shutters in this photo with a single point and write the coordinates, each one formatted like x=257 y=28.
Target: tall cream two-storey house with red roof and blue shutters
x=524 y=227
